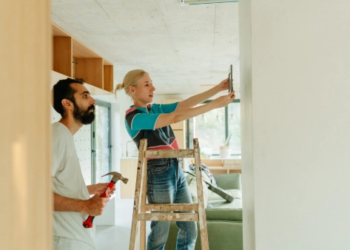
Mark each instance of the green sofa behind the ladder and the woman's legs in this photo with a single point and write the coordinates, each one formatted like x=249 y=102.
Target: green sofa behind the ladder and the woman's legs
x=224 y=220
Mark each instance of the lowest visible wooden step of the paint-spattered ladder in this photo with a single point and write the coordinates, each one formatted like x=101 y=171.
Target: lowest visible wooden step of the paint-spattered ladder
x=168 y=217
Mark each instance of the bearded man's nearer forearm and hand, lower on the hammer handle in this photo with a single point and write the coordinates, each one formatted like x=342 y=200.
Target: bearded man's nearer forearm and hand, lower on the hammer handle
x=93 y=206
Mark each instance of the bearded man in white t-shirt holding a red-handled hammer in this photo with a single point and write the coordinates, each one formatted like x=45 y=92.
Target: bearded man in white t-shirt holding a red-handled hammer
x=72 y=202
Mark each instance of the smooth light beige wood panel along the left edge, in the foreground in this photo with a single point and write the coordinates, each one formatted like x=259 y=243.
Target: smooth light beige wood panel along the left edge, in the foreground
x=24 y=128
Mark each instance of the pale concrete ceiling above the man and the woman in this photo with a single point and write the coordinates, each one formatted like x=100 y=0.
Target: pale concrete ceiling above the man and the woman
x=185 y=49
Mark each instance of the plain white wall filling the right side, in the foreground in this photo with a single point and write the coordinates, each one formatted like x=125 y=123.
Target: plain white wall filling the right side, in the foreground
x=295 y=91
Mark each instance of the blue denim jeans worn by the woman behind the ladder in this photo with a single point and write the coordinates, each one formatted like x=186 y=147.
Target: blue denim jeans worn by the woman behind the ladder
x=166 y=183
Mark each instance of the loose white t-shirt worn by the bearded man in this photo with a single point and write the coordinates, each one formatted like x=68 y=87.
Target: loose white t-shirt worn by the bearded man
x=68 y=182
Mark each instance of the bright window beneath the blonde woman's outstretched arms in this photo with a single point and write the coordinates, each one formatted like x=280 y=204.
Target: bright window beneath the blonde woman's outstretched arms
x=213 y=128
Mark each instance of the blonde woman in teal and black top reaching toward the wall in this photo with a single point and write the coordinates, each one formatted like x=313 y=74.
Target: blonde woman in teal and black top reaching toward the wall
x=166 y=181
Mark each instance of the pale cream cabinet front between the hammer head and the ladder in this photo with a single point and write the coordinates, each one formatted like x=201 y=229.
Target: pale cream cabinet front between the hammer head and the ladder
x=128 y=168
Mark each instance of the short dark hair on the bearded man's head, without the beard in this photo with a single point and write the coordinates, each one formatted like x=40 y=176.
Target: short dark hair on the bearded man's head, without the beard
x=62 y=90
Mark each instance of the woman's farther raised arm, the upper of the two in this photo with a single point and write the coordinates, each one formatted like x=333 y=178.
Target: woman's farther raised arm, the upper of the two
x=196 y=99
